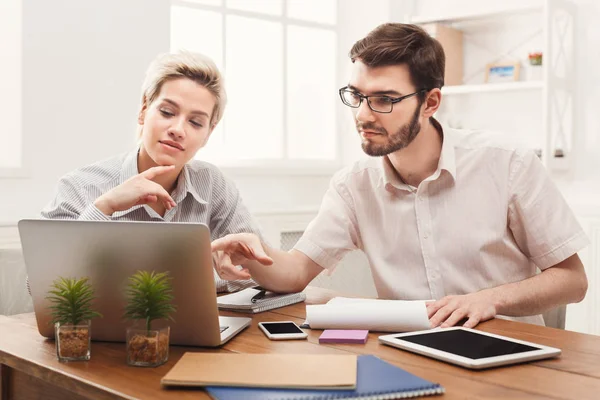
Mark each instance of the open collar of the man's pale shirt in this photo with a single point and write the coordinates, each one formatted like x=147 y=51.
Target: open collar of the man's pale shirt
x=447 y=161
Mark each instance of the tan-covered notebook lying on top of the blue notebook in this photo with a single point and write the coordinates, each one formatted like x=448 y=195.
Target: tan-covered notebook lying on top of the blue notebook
x=264 y=370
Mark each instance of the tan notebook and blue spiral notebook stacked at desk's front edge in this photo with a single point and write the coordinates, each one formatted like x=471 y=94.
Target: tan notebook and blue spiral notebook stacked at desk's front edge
x=365 y=377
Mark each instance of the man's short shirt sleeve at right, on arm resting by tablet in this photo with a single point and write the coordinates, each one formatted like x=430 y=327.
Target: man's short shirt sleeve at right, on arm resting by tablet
x=542 y=223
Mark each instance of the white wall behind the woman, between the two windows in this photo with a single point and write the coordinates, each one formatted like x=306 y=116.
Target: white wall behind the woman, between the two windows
x=83 y=65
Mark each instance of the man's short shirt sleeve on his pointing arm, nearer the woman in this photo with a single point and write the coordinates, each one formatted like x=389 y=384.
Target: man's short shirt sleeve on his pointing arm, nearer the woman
x=334 y=232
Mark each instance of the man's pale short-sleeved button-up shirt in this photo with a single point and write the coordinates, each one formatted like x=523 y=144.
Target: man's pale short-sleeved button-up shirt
x=489 y=215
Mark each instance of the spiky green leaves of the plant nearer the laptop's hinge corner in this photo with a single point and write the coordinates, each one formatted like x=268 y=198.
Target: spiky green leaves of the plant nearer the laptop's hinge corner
x=149 y=297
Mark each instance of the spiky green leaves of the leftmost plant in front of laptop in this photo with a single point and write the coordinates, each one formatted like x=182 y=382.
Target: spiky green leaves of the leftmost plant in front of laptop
x=71 y=301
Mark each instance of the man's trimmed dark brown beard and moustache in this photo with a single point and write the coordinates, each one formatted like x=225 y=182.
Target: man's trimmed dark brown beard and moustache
x=396 y=141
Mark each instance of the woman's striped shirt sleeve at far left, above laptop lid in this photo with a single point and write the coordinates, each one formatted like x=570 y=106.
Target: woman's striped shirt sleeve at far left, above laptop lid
x=71 y=202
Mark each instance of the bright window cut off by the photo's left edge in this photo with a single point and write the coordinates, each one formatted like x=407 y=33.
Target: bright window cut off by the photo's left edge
x=11 y=153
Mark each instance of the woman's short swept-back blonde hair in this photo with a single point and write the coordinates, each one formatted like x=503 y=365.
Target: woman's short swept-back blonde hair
x=197 y=67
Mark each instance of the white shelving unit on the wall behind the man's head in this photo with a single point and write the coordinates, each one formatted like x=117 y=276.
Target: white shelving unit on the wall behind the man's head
x=553 y=94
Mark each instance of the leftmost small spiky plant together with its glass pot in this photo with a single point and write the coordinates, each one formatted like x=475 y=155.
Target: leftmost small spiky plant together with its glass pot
x=72 y=312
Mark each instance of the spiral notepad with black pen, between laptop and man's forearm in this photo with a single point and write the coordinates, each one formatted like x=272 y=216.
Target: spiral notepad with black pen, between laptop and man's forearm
x=242 y=300
